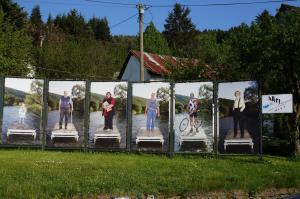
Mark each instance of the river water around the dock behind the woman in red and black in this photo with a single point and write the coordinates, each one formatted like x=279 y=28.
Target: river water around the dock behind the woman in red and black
x=97 y=120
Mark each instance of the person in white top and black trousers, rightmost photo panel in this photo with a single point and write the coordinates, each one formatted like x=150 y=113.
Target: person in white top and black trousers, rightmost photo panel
x=238 y=114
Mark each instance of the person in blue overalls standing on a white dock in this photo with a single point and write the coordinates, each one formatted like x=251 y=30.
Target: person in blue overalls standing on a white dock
x=152 y=110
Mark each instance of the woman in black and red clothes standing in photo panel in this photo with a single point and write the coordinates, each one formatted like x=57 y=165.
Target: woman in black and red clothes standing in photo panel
x=108 y=105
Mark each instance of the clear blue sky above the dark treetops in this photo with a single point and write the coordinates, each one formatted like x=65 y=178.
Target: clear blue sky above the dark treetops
x=220 y=17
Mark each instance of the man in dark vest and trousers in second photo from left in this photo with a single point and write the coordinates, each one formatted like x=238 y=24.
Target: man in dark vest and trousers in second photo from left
x=65 y=108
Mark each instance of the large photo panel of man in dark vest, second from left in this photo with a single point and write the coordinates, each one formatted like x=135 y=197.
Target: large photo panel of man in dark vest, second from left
x=65 y=122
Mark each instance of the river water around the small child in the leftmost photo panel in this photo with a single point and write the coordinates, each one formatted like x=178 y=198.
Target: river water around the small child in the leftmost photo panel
x=10 y=117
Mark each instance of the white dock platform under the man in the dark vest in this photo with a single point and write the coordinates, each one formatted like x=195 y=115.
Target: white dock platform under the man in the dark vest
x=70 y=132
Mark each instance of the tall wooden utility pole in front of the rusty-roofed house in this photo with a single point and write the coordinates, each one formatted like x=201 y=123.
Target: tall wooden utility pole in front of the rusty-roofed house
x=141 y=13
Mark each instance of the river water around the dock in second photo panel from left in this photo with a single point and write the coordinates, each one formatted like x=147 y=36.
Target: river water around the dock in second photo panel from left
x=78 y=121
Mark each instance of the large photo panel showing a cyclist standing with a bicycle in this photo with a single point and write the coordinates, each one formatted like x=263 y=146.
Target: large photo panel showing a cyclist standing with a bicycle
x=193 y=120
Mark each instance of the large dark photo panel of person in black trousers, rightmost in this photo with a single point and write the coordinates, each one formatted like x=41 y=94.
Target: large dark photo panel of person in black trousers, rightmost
x=239 y=123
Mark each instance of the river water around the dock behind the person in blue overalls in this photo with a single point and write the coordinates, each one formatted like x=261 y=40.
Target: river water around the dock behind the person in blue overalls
x=162 y=122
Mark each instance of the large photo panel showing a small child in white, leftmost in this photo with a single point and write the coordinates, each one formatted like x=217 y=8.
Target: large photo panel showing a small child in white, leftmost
x=22 y=111
